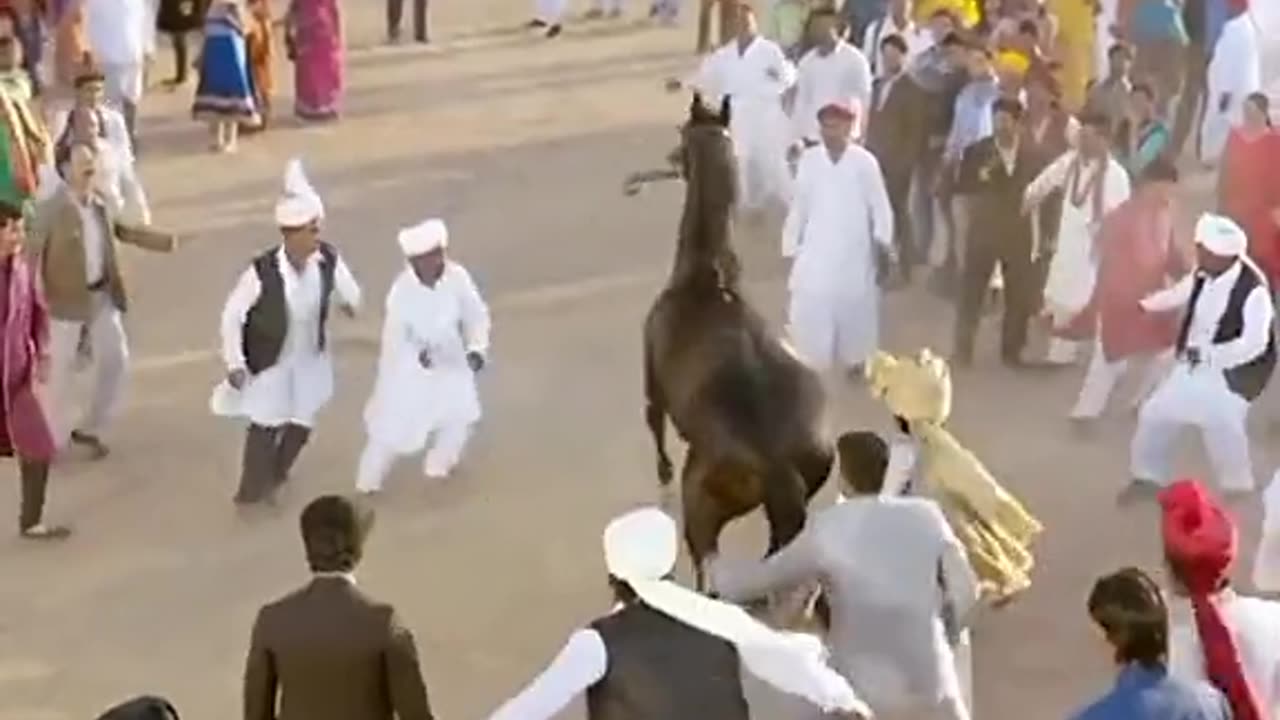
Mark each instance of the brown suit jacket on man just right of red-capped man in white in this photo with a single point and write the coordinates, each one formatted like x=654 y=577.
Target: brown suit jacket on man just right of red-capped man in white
x=897 y=133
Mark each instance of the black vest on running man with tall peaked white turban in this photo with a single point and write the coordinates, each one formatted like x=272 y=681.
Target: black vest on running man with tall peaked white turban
x=268 y=322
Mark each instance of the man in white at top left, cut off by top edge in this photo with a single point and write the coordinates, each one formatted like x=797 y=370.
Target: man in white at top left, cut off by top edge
x=122 y=35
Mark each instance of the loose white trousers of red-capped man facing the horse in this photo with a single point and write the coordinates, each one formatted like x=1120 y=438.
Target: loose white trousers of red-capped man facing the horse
x=834 y=330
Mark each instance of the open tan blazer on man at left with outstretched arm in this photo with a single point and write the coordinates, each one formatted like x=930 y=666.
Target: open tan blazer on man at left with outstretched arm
x=57 y=240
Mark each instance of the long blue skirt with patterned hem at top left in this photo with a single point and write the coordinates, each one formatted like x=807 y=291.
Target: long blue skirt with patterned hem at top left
x=226 y=90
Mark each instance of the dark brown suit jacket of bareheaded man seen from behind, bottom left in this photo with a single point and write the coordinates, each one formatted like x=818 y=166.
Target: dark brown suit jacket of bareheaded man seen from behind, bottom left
x=331 y=653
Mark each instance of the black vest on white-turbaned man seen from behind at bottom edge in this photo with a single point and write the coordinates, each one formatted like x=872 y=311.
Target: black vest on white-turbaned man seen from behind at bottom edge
x=662 y=669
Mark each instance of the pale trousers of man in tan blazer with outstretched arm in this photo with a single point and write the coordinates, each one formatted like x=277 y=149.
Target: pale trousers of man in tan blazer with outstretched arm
x=111 y=362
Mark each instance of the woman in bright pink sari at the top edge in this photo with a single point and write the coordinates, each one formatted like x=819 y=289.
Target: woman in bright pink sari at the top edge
x=314 y=34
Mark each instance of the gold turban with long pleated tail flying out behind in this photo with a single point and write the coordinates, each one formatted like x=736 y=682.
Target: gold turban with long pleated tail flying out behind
x=994 y=526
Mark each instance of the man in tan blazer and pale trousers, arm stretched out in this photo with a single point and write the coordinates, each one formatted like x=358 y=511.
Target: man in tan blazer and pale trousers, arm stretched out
x=75 y=239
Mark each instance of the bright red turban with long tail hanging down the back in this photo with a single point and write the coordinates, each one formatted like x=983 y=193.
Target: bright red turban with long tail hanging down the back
x=1200 y=545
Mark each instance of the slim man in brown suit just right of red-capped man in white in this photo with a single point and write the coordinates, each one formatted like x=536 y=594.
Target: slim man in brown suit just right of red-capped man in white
x=897 y=136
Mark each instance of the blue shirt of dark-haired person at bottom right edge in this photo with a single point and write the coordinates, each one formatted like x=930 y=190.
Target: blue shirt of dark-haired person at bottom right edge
x=1144 y=694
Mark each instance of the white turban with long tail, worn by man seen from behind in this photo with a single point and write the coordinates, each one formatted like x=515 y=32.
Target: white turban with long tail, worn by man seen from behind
x=641 y=549
